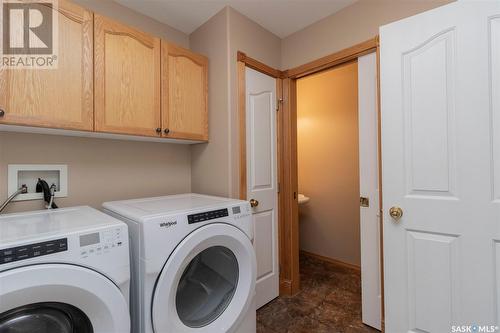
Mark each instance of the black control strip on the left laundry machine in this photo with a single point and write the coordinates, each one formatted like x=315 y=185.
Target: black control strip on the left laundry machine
x=33 y=250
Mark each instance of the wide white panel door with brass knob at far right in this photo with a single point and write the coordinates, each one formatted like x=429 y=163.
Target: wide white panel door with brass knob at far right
x=440 y=76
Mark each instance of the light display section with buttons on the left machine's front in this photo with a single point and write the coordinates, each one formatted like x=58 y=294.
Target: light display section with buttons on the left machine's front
x=99 y=243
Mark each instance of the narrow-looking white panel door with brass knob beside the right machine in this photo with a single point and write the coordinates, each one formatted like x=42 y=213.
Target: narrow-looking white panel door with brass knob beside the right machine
x=262 y=180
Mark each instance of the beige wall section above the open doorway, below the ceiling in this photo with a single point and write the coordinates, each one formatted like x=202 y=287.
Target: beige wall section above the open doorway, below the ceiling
x=352 y=25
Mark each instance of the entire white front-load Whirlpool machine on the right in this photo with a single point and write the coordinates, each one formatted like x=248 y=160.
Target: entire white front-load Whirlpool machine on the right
x=193 y=263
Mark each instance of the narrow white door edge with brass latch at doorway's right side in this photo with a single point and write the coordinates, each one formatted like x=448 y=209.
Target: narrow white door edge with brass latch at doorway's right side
x=369 y=188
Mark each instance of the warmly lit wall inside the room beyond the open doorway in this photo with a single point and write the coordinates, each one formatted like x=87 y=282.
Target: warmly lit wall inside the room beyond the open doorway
x=328 y=163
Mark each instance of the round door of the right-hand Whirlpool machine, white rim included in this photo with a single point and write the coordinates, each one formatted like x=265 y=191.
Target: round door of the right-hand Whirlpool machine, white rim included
x=208 y=282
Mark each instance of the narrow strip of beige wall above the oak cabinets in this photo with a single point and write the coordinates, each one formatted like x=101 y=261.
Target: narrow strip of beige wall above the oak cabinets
x=142 y=22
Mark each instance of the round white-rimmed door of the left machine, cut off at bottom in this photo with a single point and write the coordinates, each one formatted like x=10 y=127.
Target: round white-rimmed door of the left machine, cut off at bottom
x=60 y=298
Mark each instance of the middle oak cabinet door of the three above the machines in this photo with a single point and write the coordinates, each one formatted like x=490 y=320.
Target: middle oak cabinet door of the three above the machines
x=127 y=79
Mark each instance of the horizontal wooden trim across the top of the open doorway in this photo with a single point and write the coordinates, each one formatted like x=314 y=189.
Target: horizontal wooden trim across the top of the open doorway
x=333 y=59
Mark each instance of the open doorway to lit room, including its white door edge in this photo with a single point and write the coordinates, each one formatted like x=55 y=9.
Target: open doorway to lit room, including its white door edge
x=338 y=193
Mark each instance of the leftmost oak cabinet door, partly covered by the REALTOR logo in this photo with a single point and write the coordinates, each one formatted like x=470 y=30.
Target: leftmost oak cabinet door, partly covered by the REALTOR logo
x=62 y=97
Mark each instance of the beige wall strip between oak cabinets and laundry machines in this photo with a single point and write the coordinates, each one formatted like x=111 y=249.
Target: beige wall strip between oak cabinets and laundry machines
x=99 y=170
